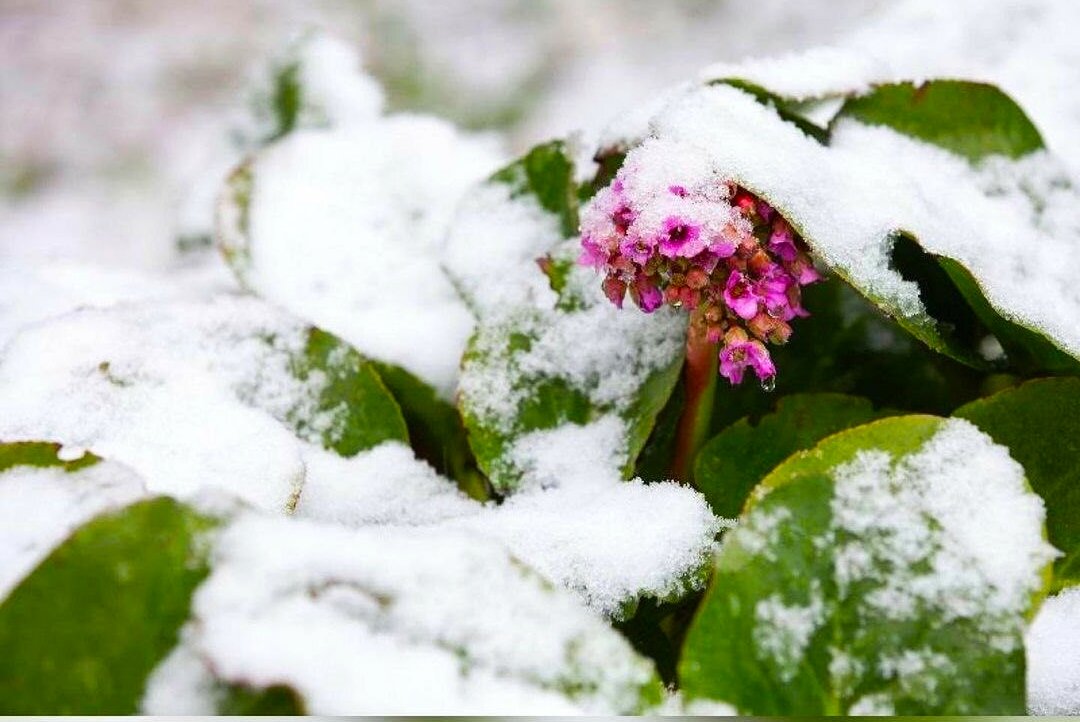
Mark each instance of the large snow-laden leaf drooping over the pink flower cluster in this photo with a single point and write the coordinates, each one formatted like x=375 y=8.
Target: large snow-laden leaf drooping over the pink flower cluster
x=857 y=198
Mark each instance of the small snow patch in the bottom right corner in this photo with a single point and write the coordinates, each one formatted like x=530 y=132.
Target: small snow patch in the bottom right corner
x=1054 y=657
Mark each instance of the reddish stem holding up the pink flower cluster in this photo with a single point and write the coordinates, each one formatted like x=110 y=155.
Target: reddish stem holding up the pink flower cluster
x=700 y=375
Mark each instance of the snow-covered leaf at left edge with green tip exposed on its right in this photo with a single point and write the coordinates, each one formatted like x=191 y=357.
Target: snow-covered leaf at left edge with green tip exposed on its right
x=229 y=393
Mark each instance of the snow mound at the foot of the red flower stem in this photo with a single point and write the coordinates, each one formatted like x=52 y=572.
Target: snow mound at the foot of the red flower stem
x=578 y=524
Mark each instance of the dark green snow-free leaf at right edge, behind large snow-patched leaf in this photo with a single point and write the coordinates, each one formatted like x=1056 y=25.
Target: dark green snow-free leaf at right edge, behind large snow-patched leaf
x=1039 y=421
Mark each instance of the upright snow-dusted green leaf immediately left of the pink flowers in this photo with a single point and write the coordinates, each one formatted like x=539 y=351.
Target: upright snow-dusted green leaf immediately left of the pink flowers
x=536 y=362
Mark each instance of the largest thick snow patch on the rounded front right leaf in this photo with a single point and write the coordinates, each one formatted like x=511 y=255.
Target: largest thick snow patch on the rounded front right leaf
x=960 y=511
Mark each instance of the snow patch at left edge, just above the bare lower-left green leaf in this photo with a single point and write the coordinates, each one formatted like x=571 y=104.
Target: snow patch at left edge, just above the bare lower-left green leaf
x=42 y=507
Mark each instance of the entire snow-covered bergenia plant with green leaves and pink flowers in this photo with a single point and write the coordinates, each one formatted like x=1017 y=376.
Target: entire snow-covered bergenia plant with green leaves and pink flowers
x=785 y=420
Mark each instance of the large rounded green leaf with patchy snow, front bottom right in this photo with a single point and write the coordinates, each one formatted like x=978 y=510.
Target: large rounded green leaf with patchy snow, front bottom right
x=806 y=612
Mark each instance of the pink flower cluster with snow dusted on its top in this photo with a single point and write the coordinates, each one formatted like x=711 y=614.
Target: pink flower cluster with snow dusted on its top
x=715 y=250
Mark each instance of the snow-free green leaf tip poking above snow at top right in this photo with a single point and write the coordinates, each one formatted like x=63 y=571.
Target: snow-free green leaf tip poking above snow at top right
x=970 y=119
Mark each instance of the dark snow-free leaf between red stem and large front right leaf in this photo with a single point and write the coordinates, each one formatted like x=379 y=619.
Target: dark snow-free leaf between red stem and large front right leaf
x=735 y=461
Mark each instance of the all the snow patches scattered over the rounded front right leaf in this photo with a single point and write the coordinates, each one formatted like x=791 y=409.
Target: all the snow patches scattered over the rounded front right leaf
x=948 y=535
